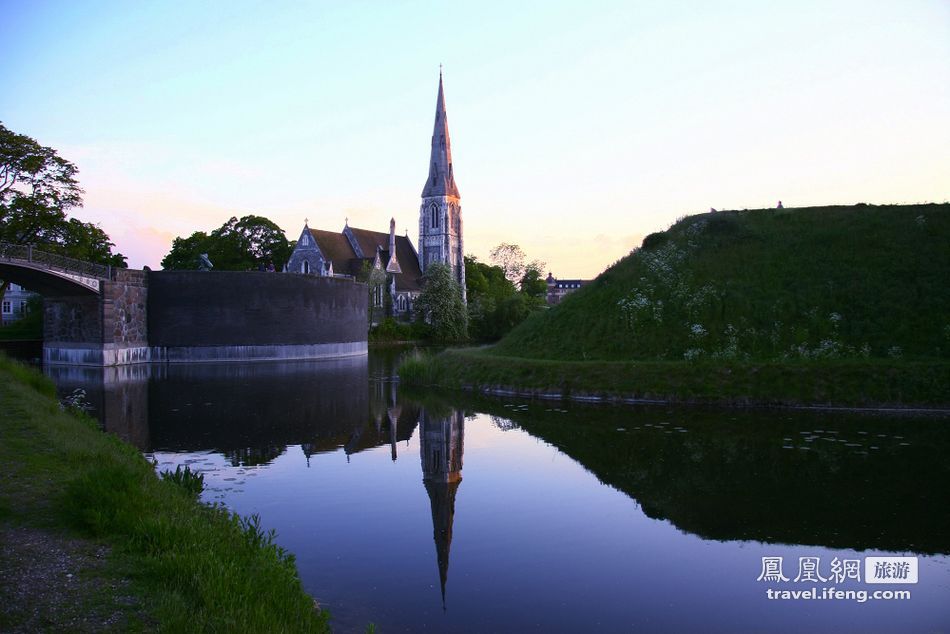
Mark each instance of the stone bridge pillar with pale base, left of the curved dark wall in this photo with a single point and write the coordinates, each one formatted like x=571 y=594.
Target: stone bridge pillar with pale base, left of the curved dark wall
x=107 y=329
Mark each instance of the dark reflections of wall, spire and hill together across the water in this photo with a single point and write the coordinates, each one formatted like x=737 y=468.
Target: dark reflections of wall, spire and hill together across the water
x=842 y=479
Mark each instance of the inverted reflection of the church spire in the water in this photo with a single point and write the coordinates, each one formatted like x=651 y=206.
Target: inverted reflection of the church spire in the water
x=441 y=445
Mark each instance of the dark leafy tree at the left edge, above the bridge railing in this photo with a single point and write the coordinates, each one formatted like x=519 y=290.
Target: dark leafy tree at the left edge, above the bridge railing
x=37 y=188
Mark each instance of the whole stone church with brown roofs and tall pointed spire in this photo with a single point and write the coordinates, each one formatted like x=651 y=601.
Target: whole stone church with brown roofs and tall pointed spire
x=390 y=263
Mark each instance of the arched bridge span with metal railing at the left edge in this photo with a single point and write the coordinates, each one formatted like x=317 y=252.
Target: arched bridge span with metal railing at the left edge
x=50 y=273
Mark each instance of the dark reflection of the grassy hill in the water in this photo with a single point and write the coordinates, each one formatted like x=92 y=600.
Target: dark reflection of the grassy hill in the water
x=834 y=479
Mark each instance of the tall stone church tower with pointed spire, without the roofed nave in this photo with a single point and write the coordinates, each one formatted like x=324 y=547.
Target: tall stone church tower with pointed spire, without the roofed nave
x=440 y=216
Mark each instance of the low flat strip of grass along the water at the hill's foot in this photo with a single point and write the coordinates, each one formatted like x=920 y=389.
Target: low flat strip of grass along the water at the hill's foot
x=827 y=382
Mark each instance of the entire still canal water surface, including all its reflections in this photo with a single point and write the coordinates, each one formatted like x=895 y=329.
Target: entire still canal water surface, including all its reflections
x=426 y=512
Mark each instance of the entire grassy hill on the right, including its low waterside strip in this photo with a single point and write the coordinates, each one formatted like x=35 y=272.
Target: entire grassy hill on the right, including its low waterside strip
x=814 y=306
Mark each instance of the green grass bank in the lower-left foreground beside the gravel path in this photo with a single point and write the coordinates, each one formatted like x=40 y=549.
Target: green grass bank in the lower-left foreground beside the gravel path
x=190 y=567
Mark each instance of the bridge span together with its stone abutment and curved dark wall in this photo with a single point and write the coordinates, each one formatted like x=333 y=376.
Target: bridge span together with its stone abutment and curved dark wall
x=107 y=316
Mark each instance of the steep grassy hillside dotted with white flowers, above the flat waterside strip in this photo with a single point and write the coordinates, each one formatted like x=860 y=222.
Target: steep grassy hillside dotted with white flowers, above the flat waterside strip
x=769 y=285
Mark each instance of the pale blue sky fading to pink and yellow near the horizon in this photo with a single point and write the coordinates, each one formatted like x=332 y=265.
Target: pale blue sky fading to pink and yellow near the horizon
x=577 y=127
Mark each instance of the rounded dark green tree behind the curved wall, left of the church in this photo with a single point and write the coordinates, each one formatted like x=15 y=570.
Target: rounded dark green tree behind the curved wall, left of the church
x=238 y=245
